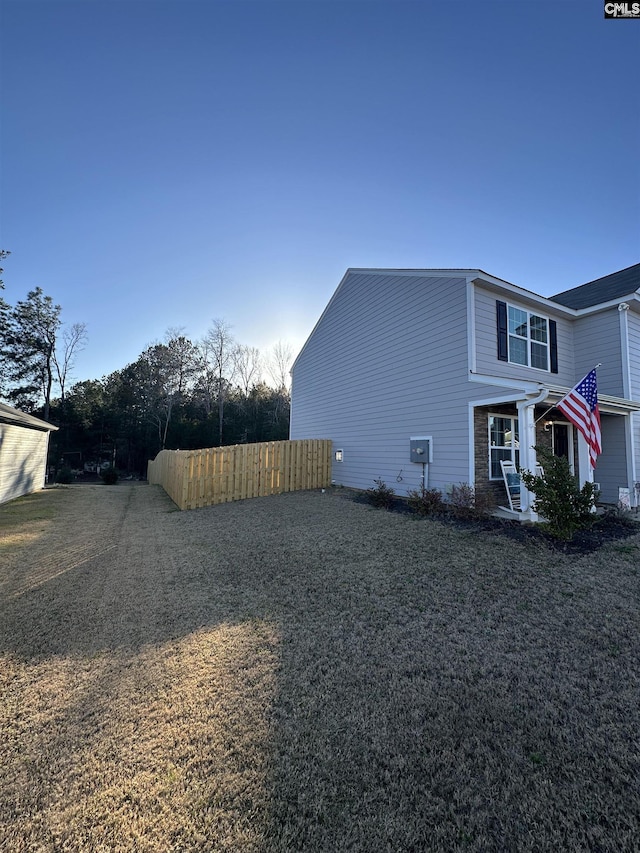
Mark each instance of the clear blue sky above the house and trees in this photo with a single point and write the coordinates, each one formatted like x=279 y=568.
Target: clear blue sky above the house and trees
x=167 y=163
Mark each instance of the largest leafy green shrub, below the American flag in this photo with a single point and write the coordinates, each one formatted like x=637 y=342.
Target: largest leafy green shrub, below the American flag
x=559 y=499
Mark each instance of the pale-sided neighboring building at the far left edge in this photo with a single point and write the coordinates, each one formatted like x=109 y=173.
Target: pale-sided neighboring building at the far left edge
x=24 y=441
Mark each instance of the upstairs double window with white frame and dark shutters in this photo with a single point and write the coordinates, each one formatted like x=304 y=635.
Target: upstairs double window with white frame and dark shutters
x=527 y=339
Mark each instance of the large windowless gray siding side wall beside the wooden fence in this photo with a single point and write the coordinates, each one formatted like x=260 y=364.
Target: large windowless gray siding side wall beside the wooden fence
x=388 y=360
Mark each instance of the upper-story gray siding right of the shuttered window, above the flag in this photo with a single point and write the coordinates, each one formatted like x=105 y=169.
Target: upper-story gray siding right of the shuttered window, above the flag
x=597 y=341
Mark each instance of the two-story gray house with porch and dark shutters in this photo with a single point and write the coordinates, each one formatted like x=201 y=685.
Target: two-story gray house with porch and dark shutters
x=470 y=366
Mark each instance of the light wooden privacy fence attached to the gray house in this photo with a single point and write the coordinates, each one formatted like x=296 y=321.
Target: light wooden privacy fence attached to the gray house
x=196 y=478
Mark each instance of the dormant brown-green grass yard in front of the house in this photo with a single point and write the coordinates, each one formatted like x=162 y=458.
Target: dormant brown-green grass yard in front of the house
x=306 y=673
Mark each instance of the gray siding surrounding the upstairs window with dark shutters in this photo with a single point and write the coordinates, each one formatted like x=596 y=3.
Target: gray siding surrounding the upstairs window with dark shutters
x=487 y=361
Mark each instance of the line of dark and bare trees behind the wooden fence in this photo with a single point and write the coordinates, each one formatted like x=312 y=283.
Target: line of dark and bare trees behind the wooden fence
x=178 y=394
